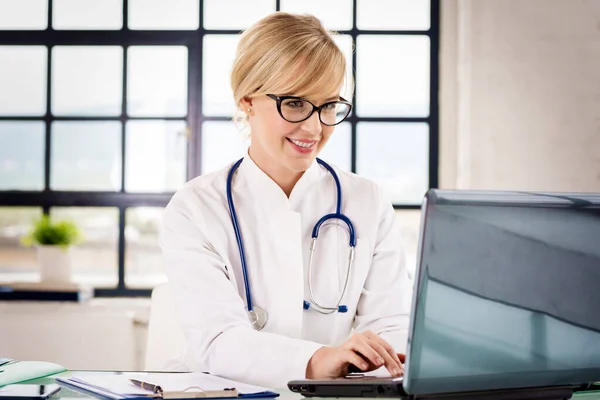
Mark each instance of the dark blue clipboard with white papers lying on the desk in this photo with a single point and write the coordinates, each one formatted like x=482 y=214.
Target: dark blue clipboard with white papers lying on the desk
x=176 y=386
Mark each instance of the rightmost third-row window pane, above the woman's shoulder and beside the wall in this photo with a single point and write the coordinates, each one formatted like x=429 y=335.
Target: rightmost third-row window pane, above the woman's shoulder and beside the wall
x=396 y=155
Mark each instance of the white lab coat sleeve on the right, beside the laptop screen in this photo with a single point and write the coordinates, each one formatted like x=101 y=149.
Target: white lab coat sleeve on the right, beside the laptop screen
x=384 y=304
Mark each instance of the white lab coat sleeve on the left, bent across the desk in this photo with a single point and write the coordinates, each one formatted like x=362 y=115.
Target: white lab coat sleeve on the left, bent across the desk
x=212 y=314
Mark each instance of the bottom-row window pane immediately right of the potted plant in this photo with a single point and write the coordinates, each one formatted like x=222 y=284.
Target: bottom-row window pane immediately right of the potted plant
x=95 y=260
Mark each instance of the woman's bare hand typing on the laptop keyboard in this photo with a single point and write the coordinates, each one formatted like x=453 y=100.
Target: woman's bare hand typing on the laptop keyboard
x=365 y=350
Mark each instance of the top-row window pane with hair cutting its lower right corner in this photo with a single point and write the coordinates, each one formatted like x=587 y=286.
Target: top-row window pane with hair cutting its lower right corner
x=220 y=14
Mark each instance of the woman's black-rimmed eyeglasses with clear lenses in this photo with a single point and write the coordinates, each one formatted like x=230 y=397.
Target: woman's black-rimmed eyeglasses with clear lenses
x=297 y=109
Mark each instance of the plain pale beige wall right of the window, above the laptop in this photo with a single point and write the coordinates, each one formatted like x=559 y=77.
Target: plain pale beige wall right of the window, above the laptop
x=519 y=98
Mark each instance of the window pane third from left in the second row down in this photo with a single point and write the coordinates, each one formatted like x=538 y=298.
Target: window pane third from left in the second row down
x=157 y=81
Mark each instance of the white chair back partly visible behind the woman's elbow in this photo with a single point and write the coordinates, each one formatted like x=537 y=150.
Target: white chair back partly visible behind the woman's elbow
x=166 y=346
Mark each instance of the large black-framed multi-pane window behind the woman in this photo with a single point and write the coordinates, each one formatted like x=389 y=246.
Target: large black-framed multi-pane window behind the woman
x=108 y=106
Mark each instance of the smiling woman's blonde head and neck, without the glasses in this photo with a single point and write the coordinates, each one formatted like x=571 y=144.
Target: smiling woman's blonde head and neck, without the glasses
x=286 y=55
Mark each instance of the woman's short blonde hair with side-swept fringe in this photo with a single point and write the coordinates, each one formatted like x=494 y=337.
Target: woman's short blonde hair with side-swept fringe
x=286 y=54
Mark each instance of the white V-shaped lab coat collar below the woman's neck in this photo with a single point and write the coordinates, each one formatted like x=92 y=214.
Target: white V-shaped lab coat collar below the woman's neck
x=261 y=184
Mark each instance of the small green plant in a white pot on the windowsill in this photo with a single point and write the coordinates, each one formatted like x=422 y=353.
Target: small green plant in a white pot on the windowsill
x=53 y=240
